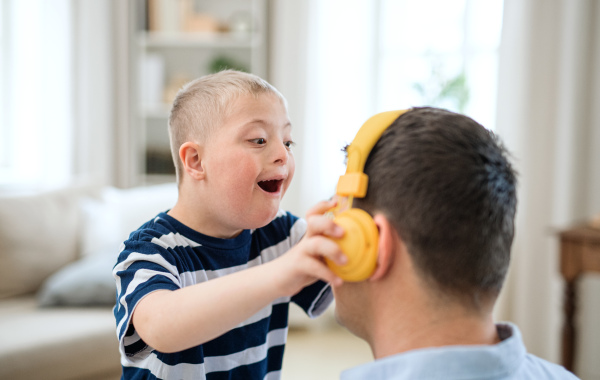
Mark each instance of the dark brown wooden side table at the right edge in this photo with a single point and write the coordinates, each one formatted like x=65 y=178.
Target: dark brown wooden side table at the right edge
x=579 y=253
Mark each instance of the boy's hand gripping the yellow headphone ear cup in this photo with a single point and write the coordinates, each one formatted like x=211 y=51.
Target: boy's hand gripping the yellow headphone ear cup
x=305 y=262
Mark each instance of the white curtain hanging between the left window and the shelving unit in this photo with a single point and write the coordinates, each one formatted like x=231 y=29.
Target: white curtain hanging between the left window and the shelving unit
x=95 y=132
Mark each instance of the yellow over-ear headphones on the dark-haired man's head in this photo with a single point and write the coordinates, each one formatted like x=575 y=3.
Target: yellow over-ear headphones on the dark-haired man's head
x=360 y=241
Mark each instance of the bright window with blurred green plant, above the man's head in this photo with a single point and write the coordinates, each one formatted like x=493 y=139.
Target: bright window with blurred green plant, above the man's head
x=441 y=53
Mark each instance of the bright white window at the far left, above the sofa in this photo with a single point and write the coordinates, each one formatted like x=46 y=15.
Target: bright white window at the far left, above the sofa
x=36 y=110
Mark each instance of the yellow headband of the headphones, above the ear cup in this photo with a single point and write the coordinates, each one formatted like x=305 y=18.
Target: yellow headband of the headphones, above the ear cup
x=354 y=182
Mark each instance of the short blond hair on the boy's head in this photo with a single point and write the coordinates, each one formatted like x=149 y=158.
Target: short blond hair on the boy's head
x=203 y=104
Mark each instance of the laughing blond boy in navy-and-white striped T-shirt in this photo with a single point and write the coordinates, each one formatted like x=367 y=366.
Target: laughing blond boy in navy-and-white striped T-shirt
x=203 y=289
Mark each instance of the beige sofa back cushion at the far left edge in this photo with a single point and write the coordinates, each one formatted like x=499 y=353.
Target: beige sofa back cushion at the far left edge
x=38 y=235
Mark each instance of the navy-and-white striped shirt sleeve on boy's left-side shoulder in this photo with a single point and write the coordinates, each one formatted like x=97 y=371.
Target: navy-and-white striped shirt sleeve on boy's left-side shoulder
x=142 y=268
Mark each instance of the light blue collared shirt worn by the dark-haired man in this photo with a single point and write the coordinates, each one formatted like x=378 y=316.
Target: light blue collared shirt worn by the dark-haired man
x=505 y=360
